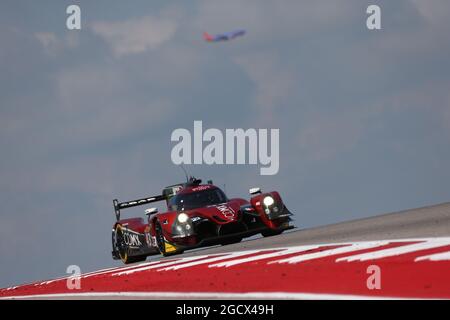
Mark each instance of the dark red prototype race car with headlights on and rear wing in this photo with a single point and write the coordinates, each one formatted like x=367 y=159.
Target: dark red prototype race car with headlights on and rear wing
x=197 y=215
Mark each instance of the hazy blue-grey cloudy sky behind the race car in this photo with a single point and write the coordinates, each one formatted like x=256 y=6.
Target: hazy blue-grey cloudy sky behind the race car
x=86 y=115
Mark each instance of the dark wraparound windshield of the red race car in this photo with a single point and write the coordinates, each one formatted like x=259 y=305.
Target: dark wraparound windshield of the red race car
x=188 y=201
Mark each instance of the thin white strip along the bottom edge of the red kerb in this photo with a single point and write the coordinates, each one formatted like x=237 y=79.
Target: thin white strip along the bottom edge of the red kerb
x=204 y=295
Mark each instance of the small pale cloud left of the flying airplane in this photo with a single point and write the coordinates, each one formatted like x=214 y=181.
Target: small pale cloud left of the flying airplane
x=136 y=36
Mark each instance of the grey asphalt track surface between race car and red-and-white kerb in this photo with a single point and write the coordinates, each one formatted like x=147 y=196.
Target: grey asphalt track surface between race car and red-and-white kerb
x=430 y=221
